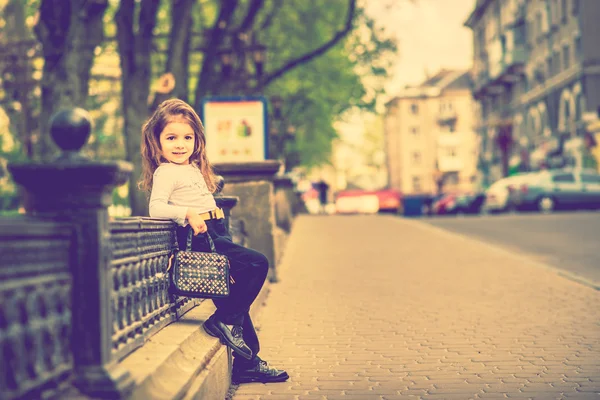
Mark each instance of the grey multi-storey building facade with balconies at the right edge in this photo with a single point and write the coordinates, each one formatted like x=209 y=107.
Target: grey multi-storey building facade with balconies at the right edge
x=536 y=73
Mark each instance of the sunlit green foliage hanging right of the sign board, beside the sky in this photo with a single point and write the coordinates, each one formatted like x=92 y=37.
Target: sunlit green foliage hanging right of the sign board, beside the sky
x=317 y=94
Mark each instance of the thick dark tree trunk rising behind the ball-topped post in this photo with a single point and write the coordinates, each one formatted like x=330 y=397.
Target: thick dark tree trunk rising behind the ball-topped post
x=69 y=32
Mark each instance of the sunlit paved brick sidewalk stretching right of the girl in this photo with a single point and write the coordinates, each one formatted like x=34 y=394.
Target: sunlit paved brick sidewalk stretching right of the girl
x=378 y=307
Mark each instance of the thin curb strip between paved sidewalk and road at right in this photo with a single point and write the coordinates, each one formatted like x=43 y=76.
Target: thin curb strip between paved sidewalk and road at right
x=503 y=251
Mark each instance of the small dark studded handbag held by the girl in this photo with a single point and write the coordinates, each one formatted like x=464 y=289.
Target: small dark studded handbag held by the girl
x=198 y=274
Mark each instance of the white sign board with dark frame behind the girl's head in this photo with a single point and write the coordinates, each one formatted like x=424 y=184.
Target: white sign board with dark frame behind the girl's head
x=235 y=128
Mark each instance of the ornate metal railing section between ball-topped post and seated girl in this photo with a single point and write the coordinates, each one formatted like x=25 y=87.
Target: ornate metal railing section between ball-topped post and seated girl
x=141 y=302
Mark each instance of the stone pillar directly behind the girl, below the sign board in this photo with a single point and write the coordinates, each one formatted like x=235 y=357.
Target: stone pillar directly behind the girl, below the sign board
x=252 y=182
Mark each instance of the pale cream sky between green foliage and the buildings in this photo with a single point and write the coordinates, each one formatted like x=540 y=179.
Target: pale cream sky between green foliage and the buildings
x=430 y=36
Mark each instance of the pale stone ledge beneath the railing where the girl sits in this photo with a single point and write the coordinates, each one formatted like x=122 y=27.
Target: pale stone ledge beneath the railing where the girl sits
x=181 y=357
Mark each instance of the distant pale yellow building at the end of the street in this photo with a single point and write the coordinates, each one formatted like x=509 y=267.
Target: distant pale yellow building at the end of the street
x=430 y=143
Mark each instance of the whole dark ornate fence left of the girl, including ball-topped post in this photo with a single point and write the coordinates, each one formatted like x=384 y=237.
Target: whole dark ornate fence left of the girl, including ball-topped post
x=78 y=291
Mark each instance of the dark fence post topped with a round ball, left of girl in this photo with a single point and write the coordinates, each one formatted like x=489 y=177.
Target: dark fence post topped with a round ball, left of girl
x=78 y=190
